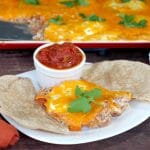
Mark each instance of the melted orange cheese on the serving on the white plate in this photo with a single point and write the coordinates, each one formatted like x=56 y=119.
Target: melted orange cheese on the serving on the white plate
x=59 y=98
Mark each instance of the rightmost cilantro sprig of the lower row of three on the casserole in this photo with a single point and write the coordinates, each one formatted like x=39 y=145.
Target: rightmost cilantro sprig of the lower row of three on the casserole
x=130 y=22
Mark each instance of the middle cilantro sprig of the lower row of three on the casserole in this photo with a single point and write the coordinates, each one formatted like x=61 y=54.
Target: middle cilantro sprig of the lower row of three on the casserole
x=92 y=17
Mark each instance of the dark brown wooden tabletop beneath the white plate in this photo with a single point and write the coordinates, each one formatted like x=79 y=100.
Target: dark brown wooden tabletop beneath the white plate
x=13 y=62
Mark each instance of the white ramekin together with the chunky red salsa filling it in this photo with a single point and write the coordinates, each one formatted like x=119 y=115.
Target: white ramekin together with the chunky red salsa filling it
x=55 y=63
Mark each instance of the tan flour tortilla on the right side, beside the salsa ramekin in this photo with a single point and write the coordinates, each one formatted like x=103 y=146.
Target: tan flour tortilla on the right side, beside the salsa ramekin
x=124 y=75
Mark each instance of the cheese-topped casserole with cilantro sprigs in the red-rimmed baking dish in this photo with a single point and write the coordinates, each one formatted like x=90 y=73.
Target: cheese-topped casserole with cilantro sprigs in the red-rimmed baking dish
x=75 y=20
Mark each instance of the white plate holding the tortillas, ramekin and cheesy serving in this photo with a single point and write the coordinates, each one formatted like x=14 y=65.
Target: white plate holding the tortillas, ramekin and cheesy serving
x=135 y=115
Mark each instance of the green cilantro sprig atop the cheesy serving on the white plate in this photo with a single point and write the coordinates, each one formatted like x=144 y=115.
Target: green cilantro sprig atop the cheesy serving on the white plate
x=84 y=99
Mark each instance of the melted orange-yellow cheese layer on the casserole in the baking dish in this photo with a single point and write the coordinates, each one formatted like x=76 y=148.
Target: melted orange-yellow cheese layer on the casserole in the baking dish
x=75 y=28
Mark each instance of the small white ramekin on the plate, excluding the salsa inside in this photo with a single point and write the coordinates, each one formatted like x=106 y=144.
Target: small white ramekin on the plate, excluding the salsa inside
x=49 y=77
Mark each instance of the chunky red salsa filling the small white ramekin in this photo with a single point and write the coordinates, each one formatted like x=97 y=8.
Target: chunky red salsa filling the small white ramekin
x=60 y=56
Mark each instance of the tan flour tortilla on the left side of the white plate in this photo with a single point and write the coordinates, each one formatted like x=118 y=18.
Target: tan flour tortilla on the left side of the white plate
x=17 y=101
